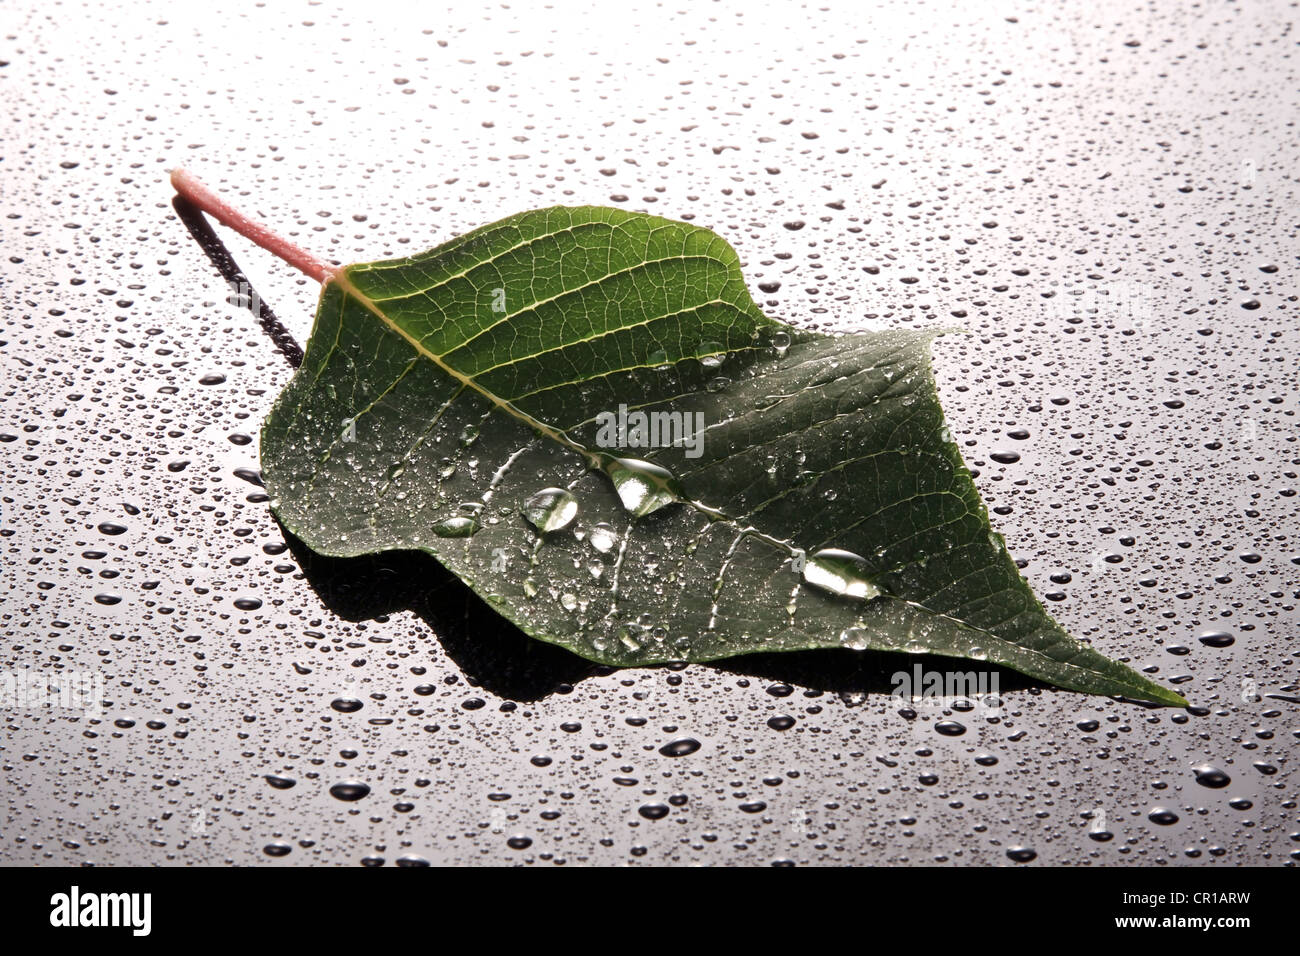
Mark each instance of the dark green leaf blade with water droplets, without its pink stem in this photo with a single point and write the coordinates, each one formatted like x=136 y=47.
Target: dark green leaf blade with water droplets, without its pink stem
x=466 y=403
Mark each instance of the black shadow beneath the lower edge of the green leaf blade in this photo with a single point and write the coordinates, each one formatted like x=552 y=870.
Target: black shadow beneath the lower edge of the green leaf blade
x=501 y=659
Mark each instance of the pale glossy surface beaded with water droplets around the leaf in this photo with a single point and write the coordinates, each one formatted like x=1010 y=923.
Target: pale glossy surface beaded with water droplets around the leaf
x=1104 y=196
